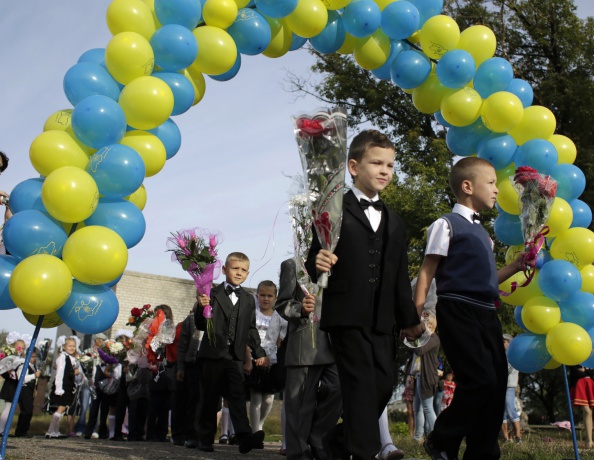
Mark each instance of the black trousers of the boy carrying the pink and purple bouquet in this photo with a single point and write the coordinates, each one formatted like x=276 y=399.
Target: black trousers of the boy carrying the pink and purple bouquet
x=222 y=377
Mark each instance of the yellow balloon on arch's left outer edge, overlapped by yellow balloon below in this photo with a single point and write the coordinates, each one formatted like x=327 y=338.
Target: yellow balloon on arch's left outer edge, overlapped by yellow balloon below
x=53 y=149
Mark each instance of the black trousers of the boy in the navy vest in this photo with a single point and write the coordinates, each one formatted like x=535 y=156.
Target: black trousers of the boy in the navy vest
x=471 y=338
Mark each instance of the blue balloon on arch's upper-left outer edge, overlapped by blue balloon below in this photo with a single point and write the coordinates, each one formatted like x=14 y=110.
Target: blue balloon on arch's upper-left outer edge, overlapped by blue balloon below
x=88 y=79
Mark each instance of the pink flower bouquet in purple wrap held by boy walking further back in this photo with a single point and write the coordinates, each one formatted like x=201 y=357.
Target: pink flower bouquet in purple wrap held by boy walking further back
x=196 y=250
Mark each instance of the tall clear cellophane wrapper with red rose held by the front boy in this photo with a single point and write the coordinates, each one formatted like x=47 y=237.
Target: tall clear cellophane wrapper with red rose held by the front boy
x=321 y=139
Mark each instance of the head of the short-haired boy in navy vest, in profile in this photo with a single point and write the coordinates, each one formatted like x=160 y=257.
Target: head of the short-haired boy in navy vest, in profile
x=474 y=182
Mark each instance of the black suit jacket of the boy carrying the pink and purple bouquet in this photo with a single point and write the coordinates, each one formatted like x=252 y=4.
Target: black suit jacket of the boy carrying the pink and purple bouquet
x=245 y=333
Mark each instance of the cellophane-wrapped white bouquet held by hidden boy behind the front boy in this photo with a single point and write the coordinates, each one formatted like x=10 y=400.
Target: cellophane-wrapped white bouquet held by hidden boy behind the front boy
x=302 y=226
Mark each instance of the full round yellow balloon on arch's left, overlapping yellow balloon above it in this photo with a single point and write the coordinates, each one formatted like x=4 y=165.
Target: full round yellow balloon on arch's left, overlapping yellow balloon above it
x=69 y=194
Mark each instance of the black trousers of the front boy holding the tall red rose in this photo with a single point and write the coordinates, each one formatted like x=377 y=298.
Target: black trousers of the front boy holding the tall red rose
x=365 y=362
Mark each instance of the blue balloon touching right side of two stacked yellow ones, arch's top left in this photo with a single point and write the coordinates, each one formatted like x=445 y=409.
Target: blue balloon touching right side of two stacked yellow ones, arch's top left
x=250 y=31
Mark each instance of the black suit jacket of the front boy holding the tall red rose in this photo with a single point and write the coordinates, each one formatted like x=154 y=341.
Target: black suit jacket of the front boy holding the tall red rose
x=345 y=301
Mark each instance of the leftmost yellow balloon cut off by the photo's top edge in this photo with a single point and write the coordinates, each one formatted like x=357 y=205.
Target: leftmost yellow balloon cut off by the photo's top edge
x=130 y=16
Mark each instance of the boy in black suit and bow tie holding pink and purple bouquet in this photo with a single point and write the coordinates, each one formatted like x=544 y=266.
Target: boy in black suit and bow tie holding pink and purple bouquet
x=223 y=357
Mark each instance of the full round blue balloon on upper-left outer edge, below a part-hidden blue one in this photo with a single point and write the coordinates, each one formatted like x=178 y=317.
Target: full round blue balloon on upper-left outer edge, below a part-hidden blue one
x=98 y=121
